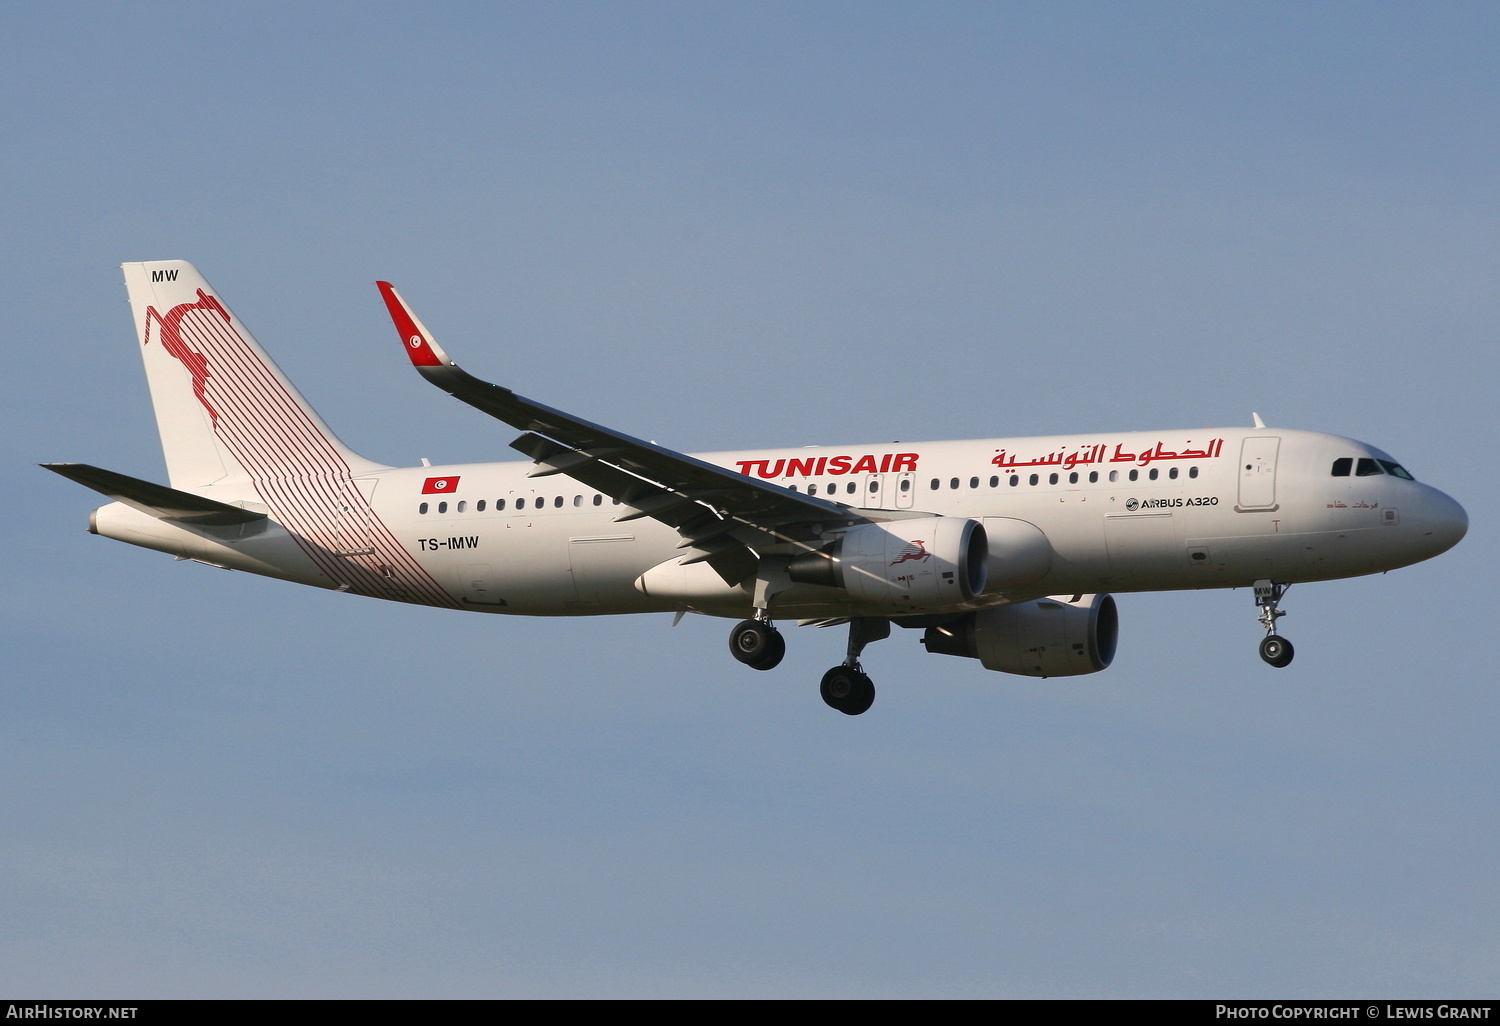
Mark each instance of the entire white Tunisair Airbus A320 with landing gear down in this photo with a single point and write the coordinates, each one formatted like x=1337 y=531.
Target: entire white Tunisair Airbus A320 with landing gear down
x=1000 y=550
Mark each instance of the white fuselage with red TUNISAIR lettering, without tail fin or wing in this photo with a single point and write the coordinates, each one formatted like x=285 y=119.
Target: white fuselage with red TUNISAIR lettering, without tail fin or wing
x=1120 y=512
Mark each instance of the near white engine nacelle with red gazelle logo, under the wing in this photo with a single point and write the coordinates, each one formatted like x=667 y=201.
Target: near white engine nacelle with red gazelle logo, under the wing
x=904 y=566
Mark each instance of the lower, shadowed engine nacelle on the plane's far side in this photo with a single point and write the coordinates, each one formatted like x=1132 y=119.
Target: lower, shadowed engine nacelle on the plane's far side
x=1040 y=638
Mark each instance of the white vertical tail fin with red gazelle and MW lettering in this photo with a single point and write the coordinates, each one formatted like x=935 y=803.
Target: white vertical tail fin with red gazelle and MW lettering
x=229 y=419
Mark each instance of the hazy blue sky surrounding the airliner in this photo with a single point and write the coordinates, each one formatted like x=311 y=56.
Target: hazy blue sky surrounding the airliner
x=736 y=226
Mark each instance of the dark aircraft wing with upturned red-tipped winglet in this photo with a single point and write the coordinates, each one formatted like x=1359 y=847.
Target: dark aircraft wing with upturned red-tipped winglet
x=721 y=514
